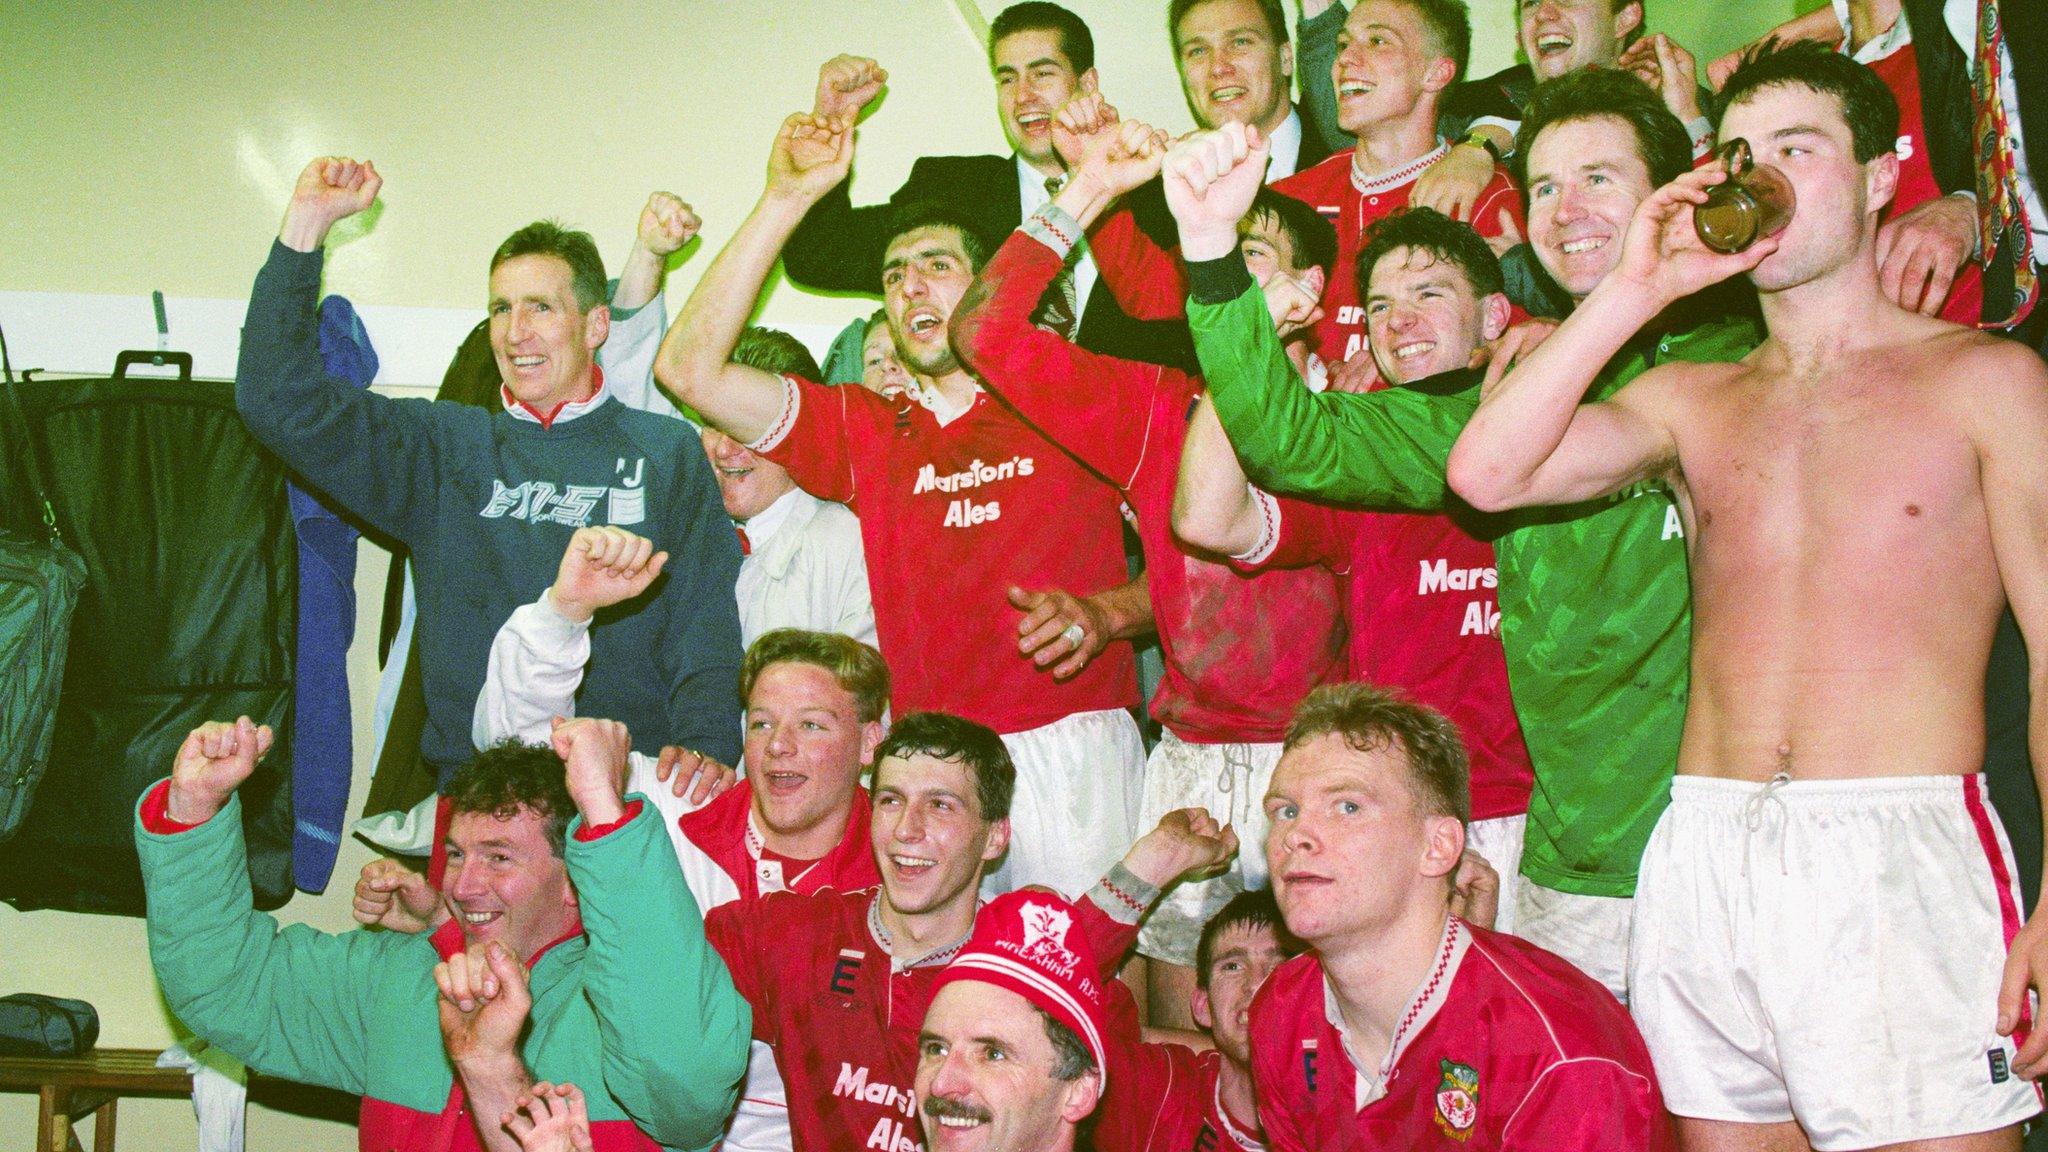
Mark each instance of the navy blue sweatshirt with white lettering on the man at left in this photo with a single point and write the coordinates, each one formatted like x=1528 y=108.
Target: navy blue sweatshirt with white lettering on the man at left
x=488 y=503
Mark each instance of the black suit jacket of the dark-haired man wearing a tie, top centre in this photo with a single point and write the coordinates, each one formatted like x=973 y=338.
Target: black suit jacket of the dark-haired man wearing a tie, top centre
x=841 y=247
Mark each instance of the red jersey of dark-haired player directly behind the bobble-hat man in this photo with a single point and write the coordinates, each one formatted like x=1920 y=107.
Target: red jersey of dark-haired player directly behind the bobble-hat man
x=843 y=1020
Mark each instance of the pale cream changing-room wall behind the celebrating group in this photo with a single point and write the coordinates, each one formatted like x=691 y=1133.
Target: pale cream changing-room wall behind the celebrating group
x=153 y=147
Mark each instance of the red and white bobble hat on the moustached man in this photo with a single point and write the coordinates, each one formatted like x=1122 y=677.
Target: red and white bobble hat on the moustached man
x=1027 y=942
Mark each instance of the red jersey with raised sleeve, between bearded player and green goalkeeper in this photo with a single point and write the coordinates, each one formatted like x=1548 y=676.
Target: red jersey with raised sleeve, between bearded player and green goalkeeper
x=1240 y=651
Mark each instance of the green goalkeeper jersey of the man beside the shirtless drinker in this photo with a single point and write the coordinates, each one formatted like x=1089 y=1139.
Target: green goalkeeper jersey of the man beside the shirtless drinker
x=1594 y=598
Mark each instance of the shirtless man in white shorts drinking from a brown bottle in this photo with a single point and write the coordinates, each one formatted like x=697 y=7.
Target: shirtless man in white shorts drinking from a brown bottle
x=1828 y=905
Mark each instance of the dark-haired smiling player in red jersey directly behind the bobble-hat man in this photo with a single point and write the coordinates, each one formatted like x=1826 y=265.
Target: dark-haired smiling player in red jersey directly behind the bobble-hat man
x=841 y=981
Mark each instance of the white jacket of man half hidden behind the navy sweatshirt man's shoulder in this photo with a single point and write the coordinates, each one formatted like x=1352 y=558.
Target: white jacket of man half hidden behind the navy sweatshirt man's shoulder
x=806 y=569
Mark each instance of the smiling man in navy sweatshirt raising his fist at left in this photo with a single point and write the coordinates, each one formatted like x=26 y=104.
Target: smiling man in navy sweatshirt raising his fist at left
x=486 y=501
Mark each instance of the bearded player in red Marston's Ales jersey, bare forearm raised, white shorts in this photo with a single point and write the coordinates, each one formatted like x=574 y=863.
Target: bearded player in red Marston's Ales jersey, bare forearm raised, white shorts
x=996 y=559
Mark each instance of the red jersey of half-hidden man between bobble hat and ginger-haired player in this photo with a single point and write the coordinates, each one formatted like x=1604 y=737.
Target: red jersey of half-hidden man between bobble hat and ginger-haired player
x=1164 y=1100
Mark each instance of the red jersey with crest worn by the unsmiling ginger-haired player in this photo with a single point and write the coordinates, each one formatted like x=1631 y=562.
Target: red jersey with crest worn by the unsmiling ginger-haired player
x=1504 y=1048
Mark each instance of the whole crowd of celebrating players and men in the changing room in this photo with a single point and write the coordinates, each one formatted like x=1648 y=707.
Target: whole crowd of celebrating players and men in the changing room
x=1574 y=636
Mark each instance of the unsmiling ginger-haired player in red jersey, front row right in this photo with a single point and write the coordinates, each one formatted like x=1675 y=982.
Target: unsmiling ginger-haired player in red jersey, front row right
x=1406 y=1026
